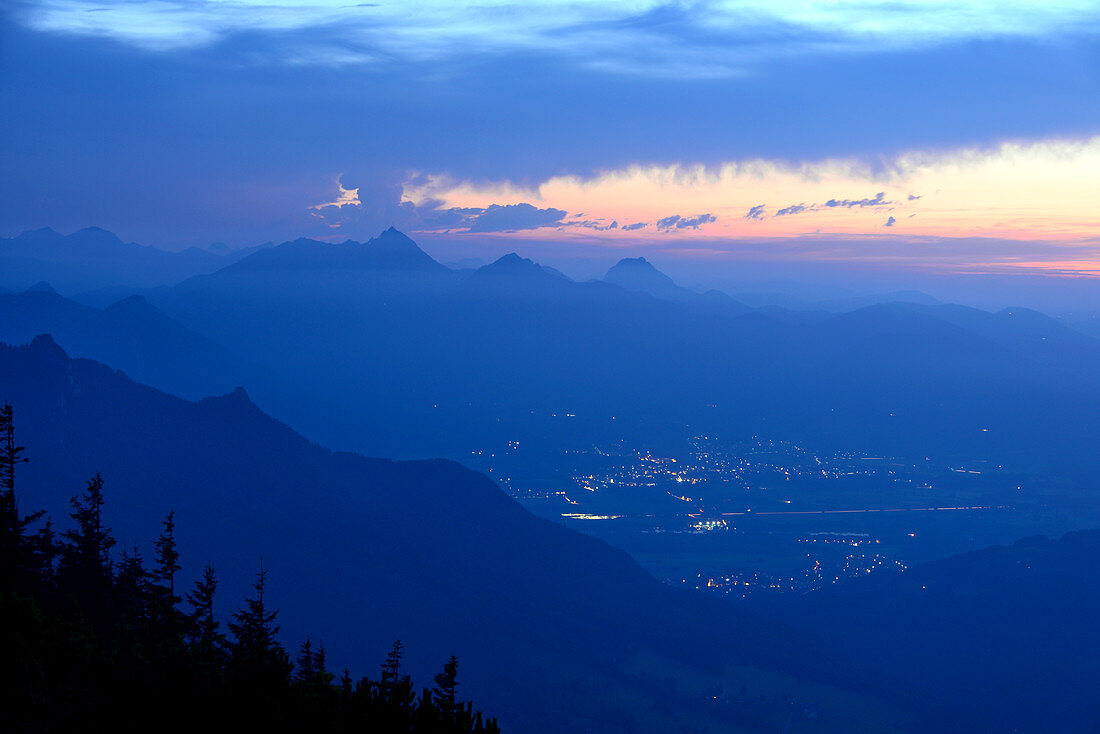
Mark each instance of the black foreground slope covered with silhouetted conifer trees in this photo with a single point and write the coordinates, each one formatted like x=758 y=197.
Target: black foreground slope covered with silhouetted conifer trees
x=96 y=641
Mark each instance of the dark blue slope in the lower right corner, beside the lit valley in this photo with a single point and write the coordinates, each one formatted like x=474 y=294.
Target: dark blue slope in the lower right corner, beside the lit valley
x=1008 y=633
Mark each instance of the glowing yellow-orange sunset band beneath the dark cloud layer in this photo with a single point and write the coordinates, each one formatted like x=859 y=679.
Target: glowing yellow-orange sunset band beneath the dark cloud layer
x=1017 y=190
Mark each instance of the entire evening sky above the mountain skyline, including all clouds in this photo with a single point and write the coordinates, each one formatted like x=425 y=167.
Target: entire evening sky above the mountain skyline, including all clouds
x=890 y=137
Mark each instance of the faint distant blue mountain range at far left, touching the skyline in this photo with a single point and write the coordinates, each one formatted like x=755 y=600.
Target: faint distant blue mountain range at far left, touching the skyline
x=93 y=258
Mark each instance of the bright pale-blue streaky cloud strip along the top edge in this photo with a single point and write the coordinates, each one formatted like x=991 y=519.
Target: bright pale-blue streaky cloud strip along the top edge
x=650 y=38
